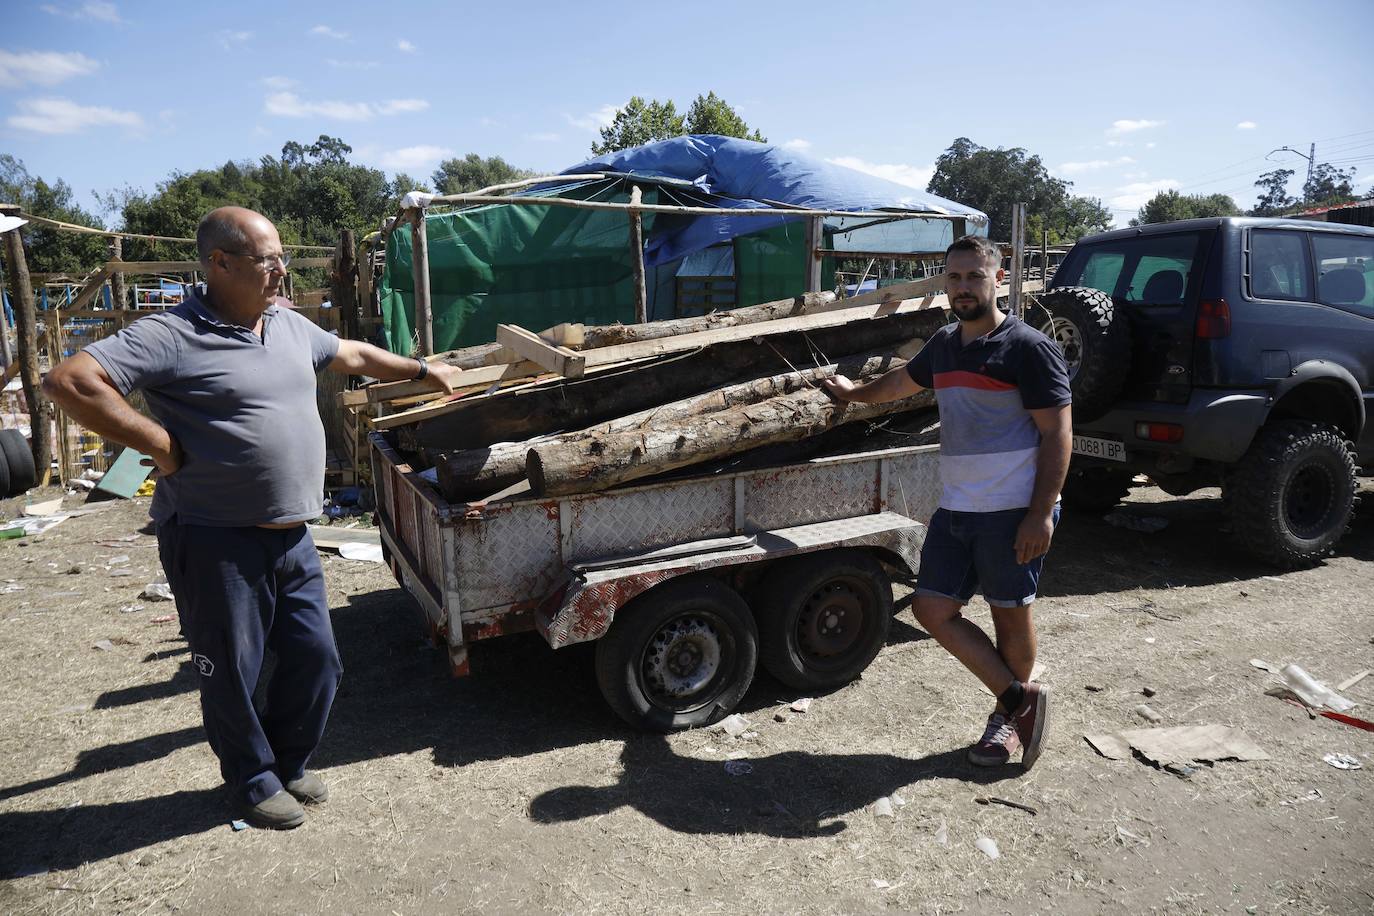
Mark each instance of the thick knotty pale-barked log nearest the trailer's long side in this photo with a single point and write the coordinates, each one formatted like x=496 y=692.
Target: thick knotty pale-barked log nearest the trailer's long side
x=587 y=466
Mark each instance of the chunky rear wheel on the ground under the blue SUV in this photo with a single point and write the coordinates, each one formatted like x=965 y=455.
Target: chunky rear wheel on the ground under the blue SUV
x=1292 y=494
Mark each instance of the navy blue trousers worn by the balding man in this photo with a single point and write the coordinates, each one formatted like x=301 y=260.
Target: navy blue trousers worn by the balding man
x=241 y=591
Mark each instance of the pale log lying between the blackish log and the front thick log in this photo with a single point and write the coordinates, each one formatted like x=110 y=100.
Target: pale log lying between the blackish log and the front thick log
x=475 y=473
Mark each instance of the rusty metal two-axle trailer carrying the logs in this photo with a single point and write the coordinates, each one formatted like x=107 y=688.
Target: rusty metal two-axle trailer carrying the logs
x=685 y=584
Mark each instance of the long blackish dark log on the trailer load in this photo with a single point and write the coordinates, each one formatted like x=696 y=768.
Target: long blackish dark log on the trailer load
x=611 y=393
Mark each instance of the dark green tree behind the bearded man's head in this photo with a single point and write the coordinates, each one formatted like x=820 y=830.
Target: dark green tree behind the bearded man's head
x=993 y=181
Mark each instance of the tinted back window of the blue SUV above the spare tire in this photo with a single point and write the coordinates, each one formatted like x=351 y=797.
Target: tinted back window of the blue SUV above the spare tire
x=1153 y=270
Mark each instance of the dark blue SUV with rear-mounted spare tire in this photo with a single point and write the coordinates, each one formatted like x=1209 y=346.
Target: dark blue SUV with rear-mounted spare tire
x=1233 y=352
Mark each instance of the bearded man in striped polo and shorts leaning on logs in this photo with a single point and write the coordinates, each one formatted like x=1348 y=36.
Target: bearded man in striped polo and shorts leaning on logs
x=1005 y=436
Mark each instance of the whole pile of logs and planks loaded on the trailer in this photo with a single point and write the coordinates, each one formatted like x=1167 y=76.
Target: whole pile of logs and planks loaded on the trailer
x=593 y=409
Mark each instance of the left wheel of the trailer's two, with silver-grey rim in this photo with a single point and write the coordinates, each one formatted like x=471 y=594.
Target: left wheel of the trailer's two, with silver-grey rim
x=679 y=656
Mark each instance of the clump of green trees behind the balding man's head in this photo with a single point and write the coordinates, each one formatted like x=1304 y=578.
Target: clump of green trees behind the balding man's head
x=311 y=193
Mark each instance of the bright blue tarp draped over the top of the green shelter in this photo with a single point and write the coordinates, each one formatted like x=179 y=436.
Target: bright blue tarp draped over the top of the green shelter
x=743 y=174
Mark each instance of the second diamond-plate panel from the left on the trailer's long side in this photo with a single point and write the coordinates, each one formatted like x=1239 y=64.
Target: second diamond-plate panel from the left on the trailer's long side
x=637 y=521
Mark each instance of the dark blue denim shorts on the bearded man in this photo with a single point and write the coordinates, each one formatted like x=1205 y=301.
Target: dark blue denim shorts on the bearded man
x=967 y=553
